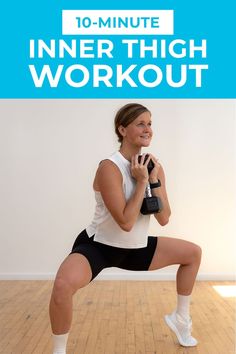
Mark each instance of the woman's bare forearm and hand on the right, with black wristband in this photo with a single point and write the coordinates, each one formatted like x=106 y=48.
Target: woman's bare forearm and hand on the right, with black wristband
x=158 y=173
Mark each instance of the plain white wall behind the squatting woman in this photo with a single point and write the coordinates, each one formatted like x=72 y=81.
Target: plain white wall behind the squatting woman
x=49 y=151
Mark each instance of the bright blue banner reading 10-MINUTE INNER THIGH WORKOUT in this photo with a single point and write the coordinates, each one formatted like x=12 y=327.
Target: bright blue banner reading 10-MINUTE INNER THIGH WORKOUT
x=161 y=49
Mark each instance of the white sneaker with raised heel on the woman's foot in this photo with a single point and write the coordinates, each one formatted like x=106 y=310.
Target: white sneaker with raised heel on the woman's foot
x=182 y=329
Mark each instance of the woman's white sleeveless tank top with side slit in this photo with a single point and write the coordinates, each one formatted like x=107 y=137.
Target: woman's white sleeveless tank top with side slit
x=105 y=229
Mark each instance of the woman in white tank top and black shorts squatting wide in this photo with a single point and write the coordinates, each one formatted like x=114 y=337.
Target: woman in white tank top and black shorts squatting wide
x=118 y=234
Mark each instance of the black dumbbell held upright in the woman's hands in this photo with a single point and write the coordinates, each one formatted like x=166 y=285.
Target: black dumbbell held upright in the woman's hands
x=151 y=204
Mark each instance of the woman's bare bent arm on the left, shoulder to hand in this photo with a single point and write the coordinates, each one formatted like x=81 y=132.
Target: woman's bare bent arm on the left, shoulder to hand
x=109 y=183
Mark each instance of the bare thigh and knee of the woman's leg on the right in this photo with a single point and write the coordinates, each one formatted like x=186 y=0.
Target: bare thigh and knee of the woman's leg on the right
x=171 y=251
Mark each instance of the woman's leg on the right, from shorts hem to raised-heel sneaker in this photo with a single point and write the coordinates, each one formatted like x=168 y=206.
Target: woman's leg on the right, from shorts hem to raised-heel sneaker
x=171 y=251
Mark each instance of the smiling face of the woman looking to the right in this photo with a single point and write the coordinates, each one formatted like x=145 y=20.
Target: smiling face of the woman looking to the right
x=139 y=132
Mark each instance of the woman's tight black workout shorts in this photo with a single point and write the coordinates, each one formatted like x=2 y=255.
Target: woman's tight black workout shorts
x=102 y=256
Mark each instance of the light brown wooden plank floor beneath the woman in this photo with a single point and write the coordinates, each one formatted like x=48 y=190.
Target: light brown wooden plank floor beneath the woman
x=115 y=317
